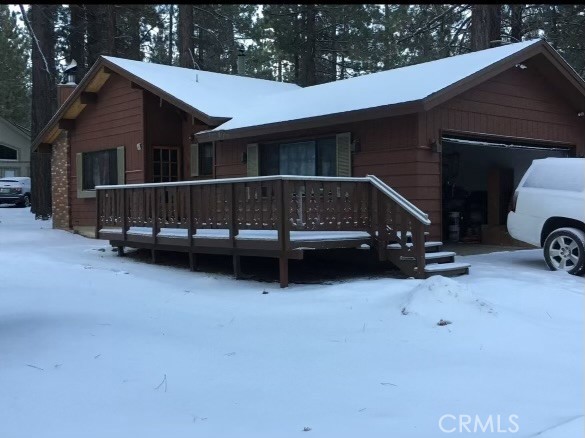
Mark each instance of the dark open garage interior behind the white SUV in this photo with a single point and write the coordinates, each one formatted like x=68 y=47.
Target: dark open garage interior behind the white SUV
x=479 y=177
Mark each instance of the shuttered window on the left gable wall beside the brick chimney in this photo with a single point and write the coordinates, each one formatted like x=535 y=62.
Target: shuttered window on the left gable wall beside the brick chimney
x=97 y=168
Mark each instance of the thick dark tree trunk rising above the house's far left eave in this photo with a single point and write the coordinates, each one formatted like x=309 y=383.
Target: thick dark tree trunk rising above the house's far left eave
x=44 y=80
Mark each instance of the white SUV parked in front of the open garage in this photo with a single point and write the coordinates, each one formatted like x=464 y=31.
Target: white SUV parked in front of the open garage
x=548 y=210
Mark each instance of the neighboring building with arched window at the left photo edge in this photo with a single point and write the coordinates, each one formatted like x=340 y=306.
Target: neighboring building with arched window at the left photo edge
x=14 y=150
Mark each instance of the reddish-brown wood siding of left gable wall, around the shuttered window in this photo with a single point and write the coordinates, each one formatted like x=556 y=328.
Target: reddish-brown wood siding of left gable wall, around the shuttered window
x=115 y=120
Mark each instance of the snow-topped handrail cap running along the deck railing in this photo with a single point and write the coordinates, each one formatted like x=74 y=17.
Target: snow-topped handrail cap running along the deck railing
x=374 y=180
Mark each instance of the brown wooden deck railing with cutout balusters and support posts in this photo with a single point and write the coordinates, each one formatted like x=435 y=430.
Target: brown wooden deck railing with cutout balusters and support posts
x=281 y=203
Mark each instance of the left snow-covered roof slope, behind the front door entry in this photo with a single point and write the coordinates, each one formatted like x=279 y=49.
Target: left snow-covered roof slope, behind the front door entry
x=214 y=94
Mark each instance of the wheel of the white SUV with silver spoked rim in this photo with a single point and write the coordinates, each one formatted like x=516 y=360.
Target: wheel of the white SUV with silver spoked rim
x=564 y=249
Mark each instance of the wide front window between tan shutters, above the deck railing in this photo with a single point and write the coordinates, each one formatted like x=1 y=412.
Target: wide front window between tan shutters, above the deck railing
x=314 y=158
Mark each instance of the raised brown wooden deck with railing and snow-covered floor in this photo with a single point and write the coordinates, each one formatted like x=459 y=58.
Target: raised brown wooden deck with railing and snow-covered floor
x=275 y=216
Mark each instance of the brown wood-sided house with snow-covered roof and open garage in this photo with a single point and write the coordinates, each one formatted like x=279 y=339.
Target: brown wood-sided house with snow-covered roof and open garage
x=454 y=134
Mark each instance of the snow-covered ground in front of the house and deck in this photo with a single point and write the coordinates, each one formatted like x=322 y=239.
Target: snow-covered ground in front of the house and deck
x=94 y=345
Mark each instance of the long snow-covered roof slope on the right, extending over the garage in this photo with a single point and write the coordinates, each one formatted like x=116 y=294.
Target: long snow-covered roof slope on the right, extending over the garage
x=389 y=87
